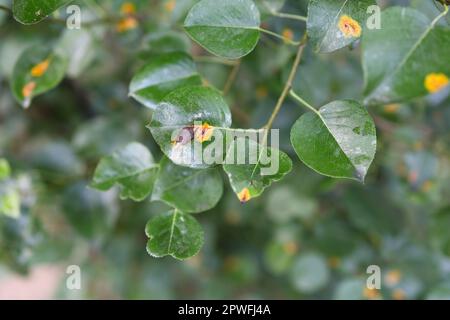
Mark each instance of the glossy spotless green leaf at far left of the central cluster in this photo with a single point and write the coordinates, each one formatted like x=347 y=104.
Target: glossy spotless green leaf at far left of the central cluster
x=132 y=168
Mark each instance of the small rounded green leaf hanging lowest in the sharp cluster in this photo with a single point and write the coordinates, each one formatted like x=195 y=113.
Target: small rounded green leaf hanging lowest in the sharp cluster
x=174 y=233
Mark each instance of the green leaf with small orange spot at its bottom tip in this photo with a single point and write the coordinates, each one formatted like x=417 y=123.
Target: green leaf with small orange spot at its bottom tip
x=261 y=167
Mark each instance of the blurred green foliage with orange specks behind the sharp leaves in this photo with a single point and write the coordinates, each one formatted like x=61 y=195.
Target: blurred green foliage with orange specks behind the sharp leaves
x=307 y=237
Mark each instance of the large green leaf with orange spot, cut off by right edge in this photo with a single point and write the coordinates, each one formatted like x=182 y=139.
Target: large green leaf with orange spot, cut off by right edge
x=414 y=66
